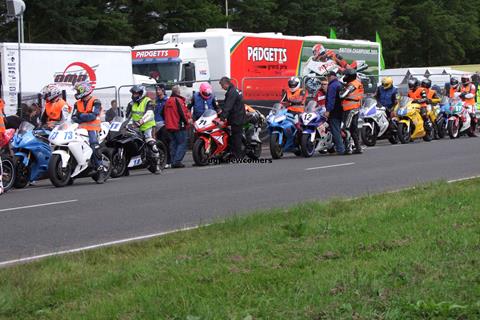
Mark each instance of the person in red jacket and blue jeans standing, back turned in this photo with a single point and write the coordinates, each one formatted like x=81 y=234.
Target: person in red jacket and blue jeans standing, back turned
x=177 y=120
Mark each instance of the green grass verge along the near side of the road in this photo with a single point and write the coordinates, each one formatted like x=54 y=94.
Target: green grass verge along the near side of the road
x=414 y=254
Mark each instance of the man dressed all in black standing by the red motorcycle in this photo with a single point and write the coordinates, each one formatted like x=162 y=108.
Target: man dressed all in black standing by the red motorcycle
x=234 y=112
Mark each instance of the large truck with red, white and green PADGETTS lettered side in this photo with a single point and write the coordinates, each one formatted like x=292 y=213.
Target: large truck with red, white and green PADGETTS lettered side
x=258 y=63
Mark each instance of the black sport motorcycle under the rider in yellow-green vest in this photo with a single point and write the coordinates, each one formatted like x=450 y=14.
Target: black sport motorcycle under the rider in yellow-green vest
x=129 y=149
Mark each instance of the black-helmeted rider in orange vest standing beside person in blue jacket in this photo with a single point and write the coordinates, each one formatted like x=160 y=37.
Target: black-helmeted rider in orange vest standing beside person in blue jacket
x=352 y=95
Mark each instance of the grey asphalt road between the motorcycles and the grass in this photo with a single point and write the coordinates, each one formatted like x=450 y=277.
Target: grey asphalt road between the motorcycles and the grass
x=86 y=214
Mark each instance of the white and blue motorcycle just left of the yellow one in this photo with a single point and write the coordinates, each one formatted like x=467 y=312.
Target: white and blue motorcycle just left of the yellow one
x=375 y=124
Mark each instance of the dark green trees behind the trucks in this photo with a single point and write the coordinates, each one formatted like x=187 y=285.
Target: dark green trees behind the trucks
x=414 y=33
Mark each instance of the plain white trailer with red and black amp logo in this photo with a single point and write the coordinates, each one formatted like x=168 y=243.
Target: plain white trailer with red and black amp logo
x=41 y=64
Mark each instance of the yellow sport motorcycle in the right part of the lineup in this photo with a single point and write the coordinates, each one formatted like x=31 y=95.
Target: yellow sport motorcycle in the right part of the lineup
x=410 y=122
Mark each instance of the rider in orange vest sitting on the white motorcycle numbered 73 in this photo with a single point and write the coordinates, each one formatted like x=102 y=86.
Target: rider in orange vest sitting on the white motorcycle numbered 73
x=86 y=112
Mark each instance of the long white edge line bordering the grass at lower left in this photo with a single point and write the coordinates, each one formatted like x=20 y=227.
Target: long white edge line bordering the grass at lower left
x=95 y=246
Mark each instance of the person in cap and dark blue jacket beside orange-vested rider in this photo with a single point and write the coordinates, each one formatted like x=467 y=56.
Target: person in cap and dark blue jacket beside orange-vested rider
x=335 y=111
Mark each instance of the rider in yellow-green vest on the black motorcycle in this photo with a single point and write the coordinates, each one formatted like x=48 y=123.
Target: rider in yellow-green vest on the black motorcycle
x=141 y=111
